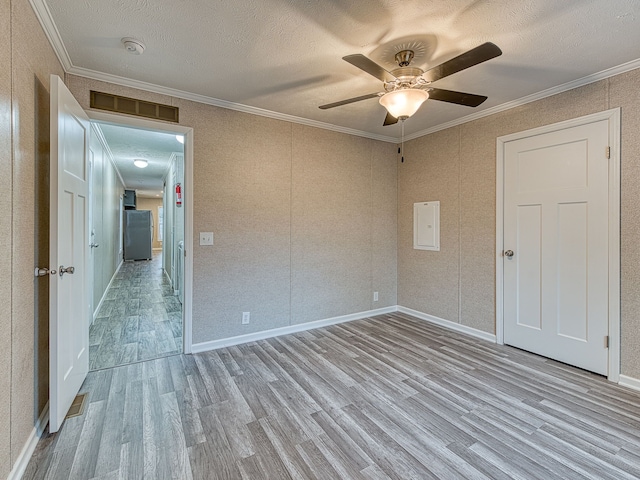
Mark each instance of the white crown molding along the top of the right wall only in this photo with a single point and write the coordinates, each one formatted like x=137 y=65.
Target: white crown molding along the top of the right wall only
x=596 y=77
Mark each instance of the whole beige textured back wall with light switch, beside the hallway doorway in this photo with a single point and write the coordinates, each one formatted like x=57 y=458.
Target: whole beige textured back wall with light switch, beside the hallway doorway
x=304 y=220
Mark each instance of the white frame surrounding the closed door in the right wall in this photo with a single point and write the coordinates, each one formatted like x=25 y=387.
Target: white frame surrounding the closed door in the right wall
x=613 y=117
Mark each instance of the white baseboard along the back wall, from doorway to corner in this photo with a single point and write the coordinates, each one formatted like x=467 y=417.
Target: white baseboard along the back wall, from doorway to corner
x=276 y=332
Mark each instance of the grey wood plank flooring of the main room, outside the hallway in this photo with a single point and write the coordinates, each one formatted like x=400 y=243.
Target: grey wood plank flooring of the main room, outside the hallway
x=390 y=397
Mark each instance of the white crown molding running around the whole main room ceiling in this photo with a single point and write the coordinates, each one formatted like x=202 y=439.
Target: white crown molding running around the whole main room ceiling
x=44 y=16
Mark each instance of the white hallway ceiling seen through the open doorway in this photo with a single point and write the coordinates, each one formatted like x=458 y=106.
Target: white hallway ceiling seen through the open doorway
x=127 y=144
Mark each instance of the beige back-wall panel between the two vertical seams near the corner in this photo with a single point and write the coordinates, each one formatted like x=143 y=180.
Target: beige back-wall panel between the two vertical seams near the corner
x=331 y=224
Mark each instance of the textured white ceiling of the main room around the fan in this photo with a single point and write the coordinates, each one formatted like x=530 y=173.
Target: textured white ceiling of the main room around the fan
x=284 y=56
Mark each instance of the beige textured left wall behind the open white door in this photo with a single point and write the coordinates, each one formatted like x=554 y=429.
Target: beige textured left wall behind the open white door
x=32 y=61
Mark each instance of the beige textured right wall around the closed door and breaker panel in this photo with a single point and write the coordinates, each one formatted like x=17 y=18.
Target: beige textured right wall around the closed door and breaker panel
x=472 y=146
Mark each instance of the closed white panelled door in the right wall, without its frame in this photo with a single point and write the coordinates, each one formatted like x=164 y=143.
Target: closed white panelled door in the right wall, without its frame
x=556 y=221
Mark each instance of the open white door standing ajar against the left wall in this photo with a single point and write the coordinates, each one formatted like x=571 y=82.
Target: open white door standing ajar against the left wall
x=69 y=245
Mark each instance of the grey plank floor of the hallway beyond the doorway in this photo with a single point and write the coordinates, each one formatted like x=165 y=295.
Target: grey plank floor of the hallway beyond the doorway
x=140 y=317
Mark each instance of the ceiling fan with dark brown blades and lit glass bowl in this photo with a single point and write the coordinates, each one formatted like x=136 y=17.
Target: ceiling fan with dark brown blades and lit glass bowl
x=406 y=87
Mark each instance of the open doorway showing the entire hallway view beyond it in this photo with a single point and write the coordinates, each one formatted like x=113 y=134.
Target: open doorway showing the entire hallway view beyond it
x=137 y=230
